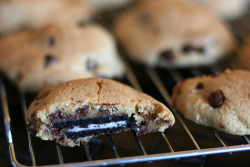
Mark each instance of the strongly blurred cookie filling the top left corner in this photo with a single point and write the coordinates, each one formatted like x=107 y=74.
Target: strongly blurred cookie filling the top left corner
x=18 y=14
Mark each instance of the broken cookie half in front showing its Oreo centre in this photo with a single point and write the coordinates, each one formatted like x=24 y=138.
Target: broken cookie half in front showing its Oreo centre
x=73 y=112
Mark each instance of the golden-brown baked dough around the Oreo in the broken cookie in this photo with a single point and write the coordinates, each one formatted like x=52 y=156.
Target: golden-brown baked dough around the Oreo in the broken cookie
x=98 y=94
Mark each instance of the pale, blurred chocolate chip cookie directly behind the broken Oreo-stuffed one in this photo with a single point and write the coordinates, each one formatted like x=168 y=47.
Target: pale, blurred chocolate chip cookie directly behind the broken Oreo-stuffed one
x=59 y=53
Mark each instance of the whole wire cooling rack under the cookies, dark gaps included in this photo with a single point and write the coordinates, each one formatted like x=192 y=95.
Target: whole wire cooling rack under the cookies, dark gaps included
x=156 y=82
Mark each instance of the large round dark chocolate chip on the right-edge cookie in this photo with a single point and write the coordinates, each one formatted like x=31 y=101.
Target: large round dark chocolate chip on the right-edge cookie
x=216 y=99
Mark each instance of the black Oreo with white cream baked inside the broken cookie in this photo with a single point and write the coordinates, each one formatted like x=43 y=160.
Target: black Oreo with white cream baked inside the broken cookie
x=83 y=127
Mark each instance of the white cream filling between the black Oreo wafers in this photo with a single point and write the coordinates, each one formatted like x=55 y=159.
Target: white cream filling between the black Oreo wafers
x=98 y=126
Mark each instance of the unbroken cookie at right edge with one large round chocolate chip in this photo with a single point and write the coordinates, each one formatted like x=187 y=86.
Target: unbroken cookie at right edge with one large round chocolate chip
x=220 y=101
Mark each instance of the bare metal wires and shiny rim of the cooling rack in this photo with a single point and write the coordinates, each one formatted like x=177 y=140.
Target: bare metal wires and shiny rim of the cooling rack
x=133 y=79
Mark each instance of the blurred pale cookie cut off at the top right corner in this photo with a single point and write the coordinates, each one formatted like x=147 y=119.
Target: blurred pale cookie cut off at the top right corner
x=223 y=9
